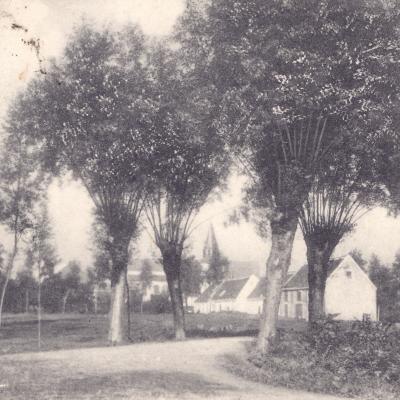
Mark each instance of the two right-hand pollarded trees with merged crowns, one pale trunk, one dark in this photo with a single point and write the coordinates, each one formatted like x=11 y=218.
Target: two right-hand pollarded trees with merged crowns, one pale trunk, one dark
x=309 y=104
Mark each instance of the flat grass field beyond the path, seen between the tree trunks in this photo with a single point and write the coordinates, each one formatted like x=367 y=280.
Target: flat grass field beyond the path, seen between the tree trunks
x=67 y=331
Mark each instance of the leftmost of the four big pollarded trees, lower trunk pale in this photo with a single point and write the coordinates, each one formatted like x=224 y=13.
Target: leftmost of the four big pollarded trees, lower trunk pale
x=89 y=115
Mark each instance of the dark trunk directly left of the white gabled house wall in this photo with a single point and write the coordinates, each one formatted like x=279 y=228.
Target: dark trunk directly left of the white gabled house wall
x=318 y=256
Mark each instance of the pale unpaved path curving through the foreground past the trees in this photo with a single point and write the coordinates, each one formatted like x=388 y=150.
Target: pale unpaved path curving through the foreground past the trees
x=183 y=370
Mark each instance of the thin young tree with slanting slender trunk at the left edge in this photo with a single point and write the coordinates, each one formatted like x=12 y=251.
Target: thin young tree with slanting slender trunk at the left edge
x=22 y=185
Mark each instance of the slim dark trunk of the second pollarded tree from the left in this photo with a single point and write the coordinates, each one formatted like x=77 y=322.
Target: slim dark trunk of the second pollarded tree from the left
x=172 y=268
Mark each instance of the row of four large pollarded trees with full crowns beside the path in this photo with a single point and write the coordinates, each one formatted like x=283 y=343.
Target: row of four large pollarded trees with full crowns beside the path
x=303 y=94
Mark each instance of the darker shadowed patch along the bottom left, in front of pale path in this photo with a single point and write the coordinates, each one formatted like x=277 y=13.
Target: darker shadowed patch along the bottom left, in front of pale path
x=50 y=380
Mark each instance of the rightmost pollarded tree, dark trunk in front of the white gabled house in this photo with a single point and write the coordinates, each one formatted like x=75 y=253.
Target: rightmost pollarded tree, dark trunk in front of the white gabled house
x=339 y=197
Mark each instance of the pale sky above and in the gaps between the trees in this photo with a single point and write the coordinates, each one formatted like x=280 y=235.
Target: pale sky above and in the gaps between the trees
x=70 y=208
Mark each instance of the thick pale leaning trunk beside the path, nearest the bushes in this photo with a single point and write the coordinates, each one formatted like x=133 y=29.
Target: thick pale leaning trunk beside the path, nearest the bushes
x=282 y=237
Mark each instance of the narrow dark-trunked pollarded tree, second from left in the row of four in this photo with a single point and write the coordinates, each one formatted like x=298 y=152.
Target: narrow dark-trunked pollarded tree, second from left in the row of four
x=190 y=165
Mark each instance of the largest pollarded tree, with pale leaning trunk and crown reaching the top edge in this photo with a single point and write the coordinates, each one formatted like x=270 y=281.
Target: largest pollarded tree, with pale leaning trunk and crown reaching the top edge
x=286 y=97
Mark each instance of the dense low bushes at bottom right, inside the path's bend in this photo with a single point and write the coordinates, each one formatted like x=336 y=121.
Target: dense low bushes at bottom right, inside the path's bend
x=354 y=359
